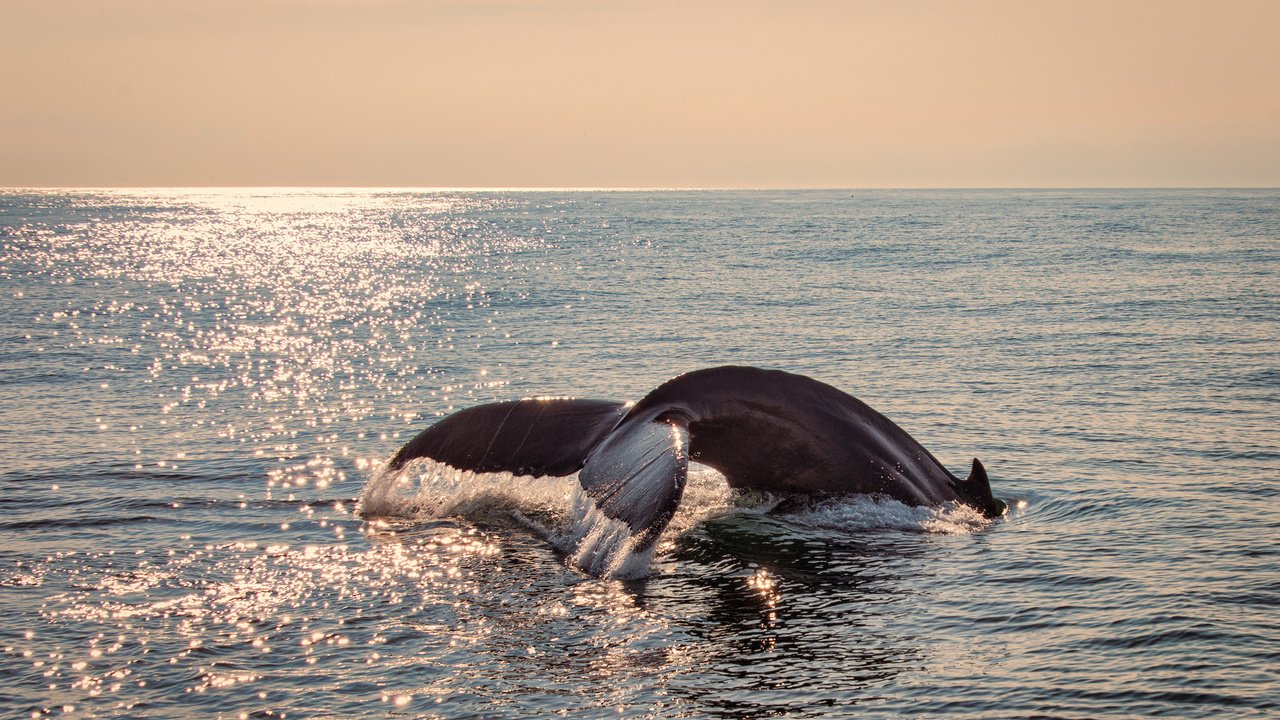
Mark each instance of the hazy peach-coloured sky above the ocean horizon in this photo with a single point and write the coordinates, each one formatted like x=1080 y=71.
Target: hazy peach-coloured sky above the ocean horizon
x=651 y=94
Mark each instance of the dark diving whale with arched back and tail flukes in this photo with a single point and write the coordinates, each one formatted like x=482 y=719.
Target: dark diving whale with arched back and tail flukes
x=766 y=431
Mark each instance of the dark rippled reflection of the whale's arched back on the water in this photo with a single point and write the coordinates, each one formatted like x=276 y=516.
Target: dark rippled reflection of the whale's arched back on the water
x=797 y=623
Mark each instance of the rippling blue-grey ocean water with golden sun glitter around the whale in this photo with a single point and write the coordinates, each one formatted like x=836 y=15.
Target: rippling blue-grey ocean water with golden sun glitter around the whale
x=199 y=388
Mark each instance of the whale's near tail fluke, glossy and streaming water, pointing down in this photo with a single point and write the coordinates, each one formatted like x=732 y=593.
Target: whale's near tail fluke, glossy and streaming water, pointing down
x=638 y=476
